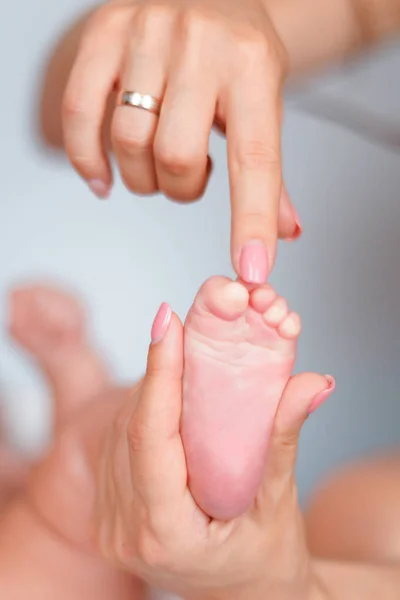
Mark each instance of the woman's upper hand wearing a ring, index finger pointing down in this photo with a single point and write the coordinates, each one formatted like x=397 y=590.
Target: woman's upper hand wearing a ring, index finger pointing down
x=209 y=62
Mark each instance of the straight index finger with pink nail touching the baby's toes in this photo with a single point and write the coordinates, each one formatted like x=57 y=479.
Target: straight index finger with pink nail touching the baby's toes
x=253 y=118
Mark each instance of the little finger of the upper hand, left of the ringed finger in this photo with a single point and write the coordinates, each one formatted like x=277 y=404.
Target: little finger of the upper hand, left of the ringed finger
x=92 y=79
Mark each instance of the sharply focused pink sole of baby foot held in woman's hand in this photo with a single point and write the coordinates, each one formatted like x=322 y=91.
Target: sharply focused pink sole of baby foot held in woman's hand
x=239 y=354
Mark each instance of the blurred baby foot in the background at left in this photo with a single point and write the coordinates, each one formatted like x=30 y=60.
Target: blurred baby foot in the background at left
x=50 y=325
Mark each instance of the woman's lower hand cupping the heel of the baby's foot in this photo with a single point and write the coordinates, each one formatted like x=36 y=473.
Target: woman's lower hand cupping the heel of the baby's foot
x=117 y=474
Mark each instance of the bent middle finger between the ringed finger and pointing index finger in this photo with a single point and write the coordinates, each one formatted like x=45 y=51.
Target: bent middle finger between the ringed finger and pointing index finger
x=181 y=145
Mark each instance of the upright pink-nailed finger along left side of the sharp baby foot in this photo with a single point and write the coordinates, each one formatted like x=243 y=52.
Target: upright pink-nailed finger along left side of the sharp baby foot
x=157 y=457
